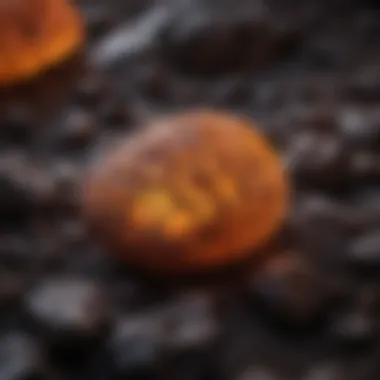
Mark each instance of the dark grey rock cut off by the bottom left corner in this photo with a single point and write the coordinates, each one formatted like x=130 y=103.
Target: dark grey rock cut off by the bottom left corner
x=19 y=358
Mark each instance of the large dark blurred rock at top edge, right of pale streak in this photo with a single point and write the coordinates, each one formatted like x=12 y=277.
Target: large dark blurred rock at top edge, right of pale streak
x=209 y=37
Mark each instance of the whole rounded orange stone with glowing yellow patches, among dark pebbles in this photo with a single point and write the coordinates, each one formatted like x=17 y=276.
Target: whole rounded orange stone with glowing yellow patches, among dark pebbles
x=189 y=192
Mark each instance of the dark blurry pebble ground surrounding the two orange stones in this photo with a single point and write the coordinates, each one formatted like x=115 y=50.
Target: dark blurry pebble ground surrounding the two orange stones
x=309 y=73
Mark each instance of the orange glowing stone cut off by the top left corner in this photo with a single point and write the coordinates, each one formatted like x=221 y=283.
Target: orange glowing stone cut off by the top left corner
x=35 y=35
